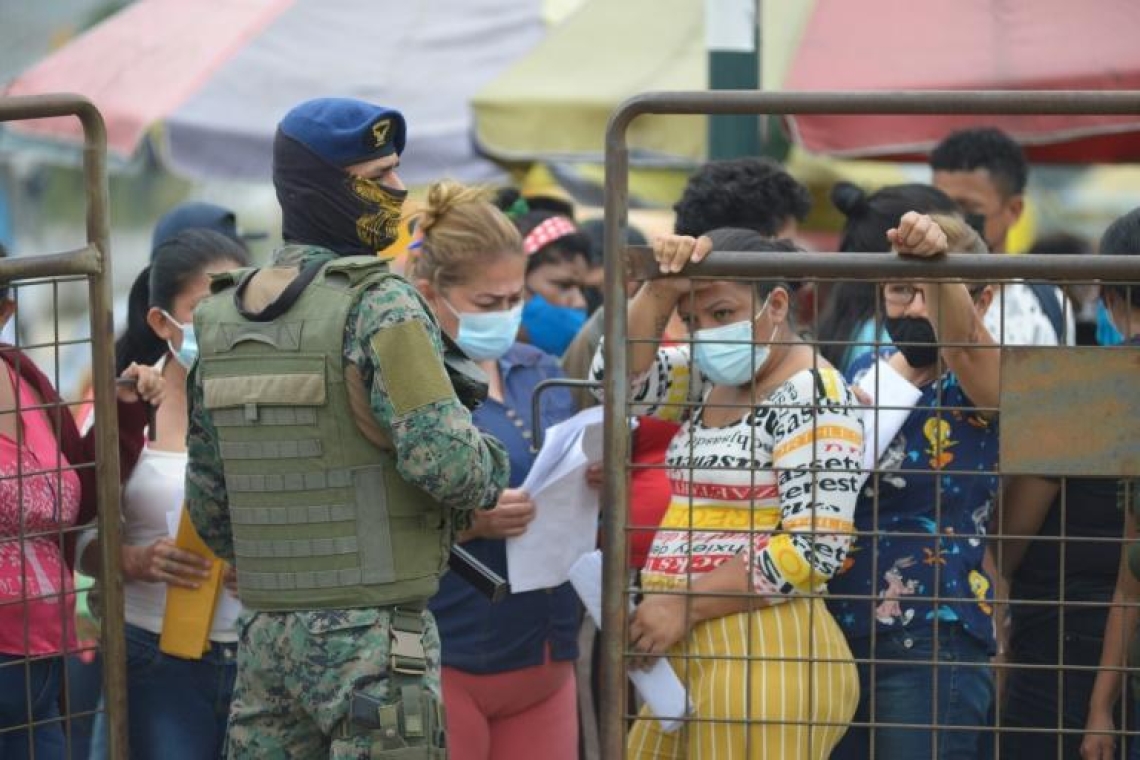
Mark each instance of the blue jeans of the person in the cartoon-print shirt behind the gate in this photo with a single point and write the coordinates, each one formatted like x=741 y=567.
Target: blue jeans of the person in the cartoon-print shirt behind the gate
x=956 y=692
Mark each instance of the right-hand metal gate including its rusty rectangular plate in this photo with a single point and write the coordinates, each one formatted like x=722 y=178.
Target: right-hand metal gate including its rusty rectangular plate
x=1021 y=399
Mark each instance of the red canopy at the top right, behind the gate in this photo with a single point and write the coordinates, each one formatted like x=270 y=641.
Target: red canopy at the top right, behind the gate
x=970 y=45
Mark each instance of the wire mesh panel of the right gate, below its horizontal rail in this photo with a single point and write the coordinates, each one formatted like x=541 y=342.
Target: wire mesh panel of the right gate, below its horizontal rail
x=914 y=574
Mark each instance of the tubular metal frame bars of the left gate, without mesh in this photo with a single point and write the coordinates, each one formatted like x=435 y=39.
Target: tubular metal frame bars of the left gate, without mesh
x=92 y=263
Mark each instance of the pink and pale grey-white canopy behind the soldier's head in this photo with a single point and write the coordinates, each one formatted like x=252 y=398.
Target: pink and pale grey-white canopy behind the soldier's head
x=216 y=76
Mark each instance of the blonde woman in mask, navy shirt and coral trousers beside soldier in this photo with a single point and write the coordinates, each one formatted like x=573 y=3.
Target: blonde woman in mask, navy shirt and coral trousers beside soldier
x=508 y=667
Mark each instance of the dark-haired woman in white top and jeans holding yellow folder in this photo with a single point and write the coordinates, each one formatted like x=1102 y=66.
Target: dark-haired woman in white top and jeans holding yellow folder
x=178 y=708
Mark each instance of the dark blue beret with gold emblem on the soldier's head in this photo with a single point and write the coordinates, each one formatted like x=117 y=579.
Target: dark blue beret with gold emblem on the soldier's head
x=344 y=132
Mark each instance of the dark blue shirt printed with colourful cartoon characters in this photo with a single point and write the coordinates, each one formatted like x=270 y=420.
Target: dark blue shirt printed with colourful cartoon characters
x=924 y=534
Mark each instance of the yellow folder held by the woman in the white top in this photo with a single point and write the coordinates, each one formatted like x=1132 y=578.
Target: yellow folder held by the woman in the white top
x=190 y=611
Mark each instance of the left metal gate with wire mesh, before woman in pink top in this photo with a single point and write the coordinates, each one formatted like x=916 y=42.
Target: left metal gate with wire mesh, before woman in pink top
x=55 y=479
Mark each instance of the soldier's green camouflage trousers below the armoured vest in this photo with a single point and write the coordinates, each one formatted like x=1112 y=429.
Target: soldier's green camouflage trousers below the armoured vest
x=338 y=684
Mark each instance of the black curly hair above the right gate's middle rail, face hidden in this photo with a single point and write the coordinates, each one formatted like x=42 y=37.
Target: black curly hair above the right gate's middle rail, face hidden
x=755 y=194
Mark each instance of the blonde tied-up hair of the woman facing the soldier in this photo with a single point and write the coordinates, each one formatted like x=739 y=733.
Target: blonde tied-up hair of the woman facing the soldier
x=460 y=231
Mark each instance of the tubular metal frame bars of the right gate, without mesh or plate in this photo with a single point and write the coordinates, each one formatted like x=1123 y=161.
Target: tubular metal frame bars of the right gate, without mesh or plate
x=638 y=264
